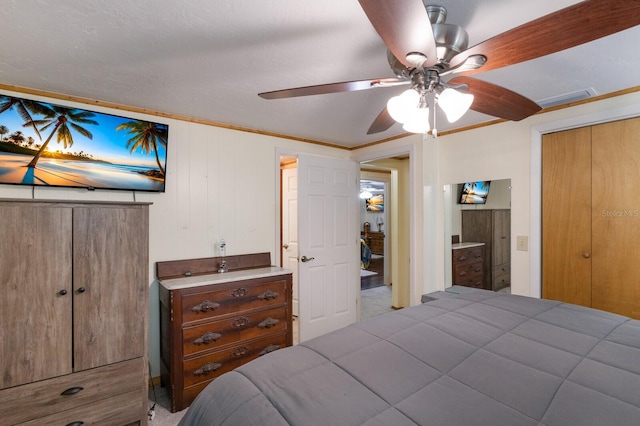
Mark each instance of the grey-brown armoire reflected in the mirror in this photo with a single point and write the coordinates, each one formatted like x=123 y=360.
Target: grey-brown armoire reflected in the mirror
x=493 y=228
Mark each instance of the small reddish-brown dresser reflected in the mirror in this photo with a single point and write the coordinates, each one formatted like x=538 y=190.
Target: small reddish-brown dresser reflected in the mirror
x=467 y=260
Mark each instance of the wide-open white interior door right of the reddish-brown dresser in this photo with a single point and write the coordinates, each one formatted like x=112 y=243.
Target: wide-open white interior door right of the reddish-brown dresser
x=328 y=245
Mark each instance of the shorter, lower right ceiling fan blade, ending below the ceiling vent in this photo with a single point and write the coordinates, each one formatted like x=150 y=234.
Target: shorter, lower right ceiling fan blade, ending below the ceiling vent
x=496 y=100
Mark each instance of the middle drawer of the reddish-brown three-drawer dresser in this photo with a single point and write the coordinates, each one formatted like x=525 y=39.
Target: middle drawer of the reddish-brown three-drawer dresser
x=233 y=329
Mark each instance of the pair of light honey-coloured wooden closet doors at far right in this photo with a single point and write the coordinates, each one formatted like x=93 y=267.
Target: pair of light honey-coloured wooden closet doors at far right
x=591 y=216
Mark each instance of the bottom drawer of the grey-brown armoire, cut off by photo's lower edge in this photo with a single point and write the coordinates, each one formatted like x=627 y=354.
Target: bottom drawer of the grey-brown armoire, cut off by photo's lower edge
x=118 y=410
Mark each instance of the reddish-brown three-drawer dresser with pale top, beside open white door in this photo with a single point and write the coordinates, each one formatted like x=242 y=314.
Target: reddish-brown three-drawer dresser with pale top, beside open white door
x=211 y=322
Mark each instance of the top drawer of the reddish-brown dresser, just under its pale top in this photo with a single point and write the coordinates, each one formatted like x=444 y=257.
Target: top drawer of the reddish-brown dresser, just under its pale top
x=233 y=299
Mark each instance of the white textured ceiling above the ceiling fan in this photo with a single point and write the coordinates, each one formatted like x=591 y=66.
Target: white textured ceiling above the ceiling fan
x=209 y=59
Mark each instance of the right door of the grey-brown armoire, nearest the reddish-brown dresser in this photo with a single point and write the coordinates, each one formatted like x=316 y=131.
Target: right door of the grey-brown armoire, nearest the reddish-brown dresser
x=110 y=283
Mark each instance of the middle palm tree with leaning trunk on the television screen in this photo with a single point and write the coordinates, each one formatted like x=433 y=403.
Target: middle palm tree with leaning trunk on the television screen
x=63 y=120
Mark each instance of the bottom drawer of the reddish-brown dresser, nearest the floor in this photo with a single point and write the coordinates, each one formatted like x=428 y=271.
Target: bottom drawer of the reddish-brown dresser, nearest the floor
x=210 y=366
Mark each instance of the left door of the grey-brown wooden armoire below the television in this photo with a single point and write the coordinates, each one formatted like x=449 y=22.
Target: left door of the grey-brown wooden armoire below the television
x=35 y=305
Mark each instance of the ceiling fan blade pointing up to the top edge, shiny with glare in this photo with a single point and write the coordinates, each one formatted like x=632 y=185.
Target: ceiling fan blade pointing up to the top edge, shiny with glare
x=404 y=26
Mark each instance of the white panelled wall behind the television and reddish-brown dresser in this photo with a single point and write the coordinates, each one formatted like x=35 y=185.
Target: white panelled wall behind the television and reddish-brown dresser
x=220 y=183
